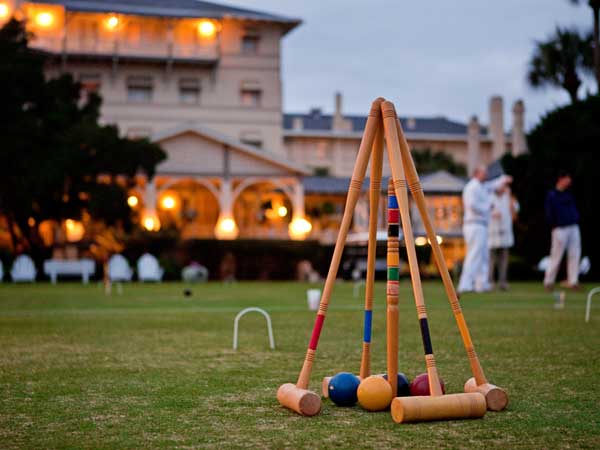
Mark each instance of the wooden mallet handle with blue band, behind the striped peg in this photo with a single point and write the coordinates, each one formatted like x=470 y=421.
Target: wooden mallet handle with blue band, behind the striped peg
x=374 y=196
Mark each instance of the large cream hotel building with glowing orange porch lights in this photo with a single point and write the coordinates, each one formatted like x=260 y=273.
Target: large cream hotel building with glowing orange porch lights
x=203 y=80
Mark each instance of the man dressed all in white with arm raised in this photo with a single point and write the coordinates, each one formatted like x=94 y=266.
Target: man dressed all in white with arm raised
x=477 y=203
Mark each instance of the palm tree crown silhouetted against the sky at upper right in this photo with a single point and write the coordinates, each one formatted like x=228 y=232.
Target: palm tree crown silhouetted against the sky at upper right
x=560 y=60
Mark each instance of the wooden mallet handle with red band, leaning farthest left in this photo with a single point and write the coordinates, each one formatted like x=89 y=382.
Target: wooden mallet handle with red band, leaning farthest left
x=358 y=176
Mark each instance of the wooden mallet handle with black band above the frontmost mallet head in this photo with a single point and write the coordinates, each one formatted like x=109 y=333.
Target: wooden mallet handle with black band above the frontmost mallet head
x=391 y=135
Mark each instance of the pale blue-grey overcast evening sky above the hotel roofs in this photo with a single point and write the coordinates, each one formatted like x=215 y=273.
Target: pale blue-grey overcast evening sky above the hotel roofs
x=431 y=57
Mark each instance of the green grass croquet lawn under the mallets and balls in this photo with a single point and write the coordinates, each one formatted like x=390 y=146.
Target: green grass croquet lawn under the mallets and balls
x=151 y=368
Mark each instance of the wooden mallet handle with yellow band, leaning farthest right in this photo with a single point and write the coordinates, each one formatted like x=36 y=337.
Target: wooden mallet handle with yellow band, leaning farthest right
x=416 y=190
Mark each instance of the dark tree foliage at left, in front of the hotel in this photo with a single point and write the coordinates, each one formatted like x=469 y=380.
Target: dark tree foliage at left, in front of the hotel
x=56 y=161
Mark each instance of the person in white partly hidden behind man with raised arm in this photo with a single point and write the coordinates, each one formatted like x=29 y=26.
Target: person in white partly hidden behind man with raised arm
x=500 y=234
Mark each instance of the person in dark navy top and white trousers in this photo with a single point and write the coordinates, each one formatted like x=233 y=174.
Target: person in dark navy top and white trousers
x=563 y=217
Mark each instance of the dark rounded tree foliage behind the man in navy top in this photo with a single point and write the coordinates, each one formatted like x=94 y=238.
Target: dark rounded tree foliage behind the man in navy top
x=566 y=139
